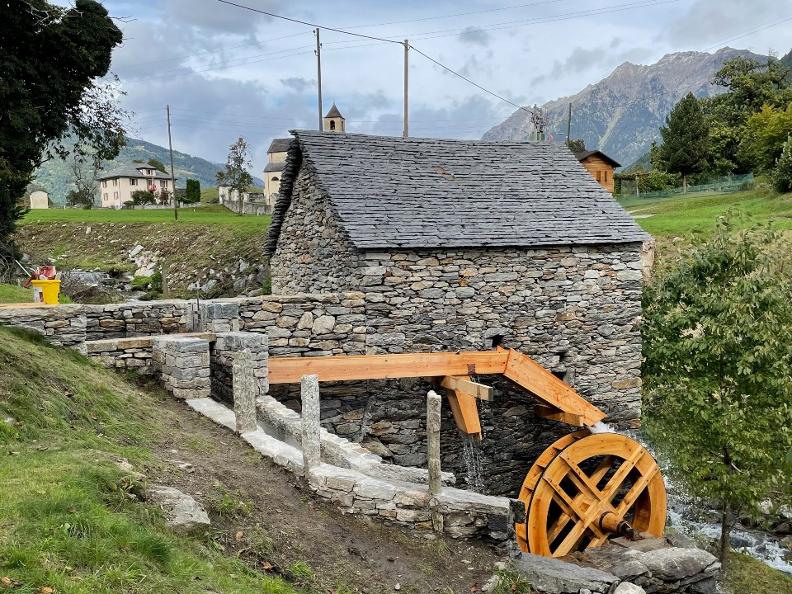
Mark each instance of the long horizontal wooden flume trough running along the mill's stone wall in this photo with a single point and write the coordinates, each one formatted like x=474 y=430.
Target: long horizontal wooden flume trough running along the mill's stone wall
x=289 y=370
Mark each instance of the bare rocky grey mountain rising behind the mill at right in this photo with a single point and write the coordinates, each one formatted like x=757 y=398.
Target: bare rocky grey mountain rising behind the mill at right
x=622 y=114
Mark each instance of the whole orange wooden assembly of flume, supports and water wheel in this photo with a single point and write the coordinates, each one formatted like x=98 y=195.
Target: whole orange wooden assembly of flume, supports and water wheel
x=582 y=490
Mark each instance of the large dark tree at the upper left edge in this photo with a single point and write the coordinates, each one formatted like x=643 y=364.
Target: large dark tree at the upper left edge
x=50 y=60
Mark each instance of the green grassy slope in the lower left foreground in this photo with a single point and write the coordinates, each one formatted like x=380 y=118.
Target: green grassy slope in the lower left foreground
x=67 y=518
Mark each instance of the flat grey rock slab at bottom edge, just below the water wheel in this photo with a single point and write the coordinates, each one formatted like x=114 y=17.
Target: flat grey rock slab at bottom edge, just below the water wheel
x=554 y=576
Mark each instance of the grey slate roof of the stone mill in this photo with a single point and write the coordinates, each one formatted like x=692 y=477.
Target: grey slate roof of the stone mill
x=424 y=193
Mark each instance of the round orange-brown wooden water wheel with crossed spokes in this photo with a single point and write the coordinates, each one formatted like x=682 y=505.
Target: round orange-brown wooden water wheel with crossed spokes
x=586 y=488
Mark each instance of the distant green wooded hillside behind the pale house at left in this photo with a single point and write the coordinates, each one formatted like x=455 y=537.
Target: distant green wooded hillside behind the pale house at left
x=55 y=177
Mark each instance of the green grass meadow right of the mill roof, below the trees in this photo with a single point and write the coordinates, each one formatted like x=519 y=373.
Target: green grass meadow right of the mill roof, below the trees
x=695 y=214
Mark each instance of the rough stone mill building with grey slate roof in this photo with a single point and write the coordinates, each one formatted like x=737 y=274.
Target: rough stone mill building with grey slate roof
x=464 y=245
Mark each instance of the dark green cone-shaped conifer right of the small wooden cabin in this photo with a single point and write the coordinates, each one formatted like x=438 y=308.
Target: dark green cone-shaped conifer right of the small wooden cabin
x=685 y=147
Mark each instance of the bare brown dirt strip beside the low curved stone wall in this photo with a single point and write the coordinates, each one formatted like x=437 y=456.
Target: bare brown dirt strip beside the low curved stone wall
x=269 y=518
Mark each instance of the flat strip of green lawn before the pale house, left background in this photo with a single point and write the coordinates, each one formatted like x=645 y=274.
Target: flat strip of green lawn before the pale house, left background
x=212 y=214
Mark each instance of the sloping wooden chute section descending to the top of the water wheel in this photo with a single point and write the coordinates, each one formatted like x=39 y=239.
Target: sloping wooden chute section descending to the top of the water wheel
x=526 y=372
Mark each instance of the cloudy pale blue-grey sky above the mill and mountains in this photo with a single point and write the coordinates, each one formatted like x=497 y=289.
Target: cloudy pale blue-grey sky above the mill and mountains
x=228 y=72
